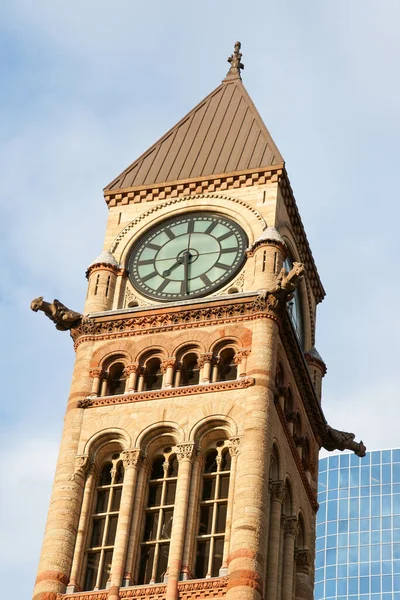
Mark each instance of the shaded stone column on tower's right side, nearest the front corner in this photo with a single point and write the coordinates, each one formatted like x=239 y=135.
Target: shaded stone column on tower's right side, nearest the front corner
x=277 y=492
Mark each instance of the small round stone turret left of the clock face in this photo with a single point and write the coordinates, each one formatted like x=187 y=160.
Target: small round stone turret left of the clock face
x=102 y=275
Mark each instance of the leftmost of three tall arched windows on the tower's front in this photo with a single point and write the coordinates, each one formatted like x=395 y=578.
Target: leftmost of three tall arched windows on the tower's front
x=103 y=527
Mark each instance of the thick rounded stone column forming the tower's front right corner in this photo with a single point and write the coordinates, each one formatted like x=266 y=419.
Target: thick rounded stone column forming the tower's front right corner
x=247 y=553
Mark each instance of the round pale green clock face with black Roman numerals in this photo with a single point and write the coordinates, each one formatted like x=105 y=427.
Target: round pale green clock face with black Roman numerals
x=187 y=256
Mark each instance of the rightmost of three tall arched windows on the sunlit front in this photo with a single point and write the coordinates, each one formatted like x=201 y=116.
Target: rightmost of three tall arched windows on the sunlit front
x=213 y=510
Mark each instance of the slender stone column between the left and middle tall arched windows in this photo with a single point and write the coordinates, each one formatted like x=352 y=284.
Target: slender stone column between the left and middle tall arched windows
x=130 y=459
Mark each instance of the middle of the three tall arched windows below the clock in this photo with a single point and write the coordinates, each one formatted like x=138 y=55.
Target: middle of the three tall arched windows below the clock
x=158 y=514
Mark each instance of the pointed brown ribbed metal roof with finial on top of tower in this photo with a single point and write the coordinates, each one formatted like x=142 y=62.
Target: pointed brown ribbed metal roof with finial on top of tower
x=222 y=134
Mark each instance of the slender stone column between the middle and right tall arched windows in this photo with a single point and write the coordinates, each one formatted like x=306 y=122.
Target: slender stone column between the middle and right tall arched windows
x=185 y=457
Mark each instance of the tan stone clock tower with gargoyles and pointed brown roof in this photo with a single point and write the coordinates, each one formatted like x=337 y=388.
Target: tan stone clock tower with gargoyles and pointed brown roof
x=188 y=462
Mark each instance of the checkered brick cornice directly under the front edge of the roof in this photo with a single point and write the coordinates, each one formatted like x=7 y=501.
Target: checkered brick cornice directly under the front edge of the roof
x=198 y=185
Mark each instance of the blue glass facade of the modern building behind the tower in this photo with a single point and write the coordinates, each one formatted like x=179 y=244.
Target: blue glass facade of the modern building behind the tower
x=358 y=527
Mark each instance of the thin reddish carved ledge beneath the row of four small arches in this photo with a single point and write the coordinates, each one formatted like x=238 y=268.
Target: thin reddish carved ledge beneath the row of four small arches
x=189 y=390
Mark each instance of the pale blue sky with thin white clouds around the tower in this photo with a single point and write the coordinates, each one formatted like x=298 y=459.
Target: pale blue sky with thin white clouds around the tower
x=87 y=86
